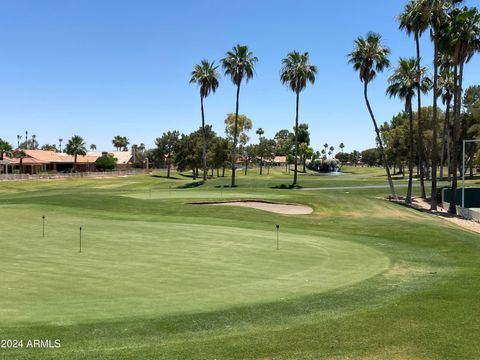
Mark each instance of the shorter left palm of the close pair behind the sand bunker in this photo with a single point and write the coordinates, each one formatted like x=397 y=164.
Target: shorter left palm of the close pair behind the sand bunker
x=206 y=76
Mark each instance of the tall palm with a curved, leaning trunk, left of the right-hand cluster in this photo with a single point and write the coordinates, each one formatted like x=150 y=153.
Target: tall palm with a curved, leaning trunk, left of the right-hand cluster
x=369 y=57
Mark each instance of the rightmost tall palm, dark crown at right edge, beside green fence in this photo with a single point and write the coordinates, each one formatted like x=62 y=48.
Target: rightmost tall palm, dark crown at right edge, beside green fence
x=464 y=41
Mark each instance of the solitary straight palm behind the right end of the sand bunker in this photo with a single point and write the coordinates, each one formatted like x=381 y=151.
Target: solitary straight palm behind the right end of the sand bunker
x=296 y=73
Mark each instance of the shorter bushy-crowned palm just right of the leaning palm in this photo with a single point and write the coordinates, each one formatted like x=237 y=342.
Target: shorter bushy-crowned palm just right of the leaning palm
x=404 y=84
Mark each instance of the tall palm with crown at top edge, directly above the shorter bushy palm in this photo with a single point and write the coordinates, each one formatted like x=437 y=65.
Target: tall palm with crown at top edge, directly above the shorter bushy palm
x=414 y=20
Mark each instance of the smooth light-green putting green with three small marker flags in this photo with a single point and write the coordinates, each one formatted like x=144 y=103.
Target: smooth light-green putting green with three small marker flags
x=136 y=268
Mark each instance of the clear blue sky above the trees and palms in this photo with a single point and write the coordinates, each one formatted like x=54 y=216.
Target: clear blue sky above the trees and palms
x=100 y=68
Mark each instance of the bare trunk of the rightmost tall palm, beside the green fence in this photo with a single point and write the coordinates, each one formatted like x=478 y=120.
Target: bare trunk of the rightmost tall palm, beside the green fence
x=452 y=209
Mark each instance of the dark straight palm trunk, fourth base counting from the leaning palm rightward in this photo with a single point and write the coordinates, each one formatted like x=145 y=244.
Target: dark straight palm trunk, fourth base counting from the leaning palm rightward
x=433 y=196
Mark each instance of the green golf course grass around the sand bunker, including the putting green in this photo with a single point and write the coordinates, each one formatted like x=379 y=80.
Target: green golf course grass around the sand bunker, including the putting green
x=360 y=278
